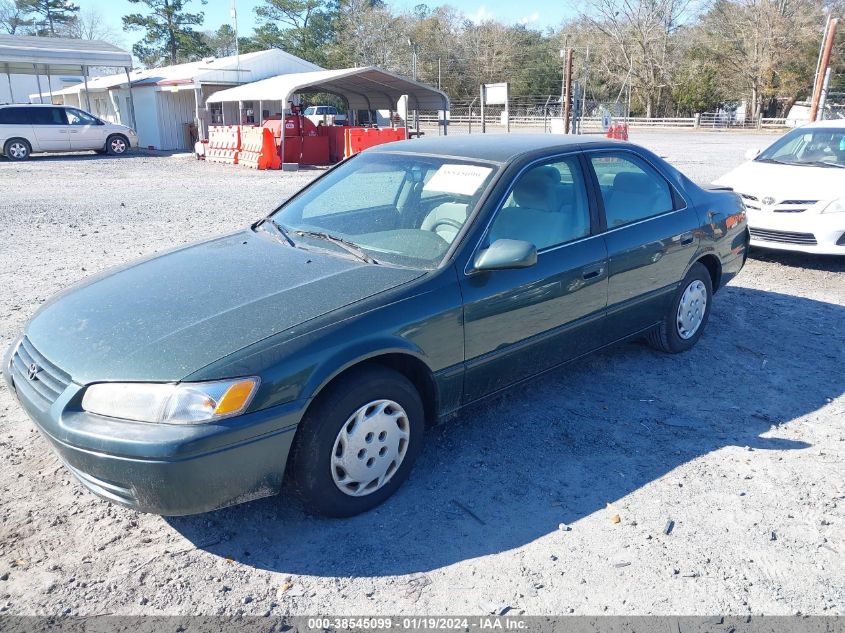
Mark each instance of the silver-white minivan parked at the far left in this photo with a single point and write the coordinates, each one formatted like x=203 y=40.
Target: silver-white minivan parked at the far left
x=29 y=128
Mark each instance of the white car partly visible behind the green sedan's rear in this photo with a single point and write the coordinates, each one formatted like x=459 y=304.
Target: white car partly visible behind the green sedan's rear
x=794 y=190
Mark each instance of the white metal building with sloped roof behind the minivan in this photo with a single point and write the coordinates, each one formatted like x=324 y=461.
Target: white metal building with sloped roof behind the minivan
x=170 y=101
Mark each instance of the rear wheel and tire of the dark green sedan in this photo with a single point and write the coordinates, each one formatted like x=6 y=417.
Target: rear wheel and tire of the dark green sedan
x=688 y=313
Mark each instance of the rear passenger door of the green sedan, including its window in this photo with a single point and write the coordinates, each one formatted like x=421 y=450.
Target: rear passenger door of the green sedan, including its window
x=651 y=236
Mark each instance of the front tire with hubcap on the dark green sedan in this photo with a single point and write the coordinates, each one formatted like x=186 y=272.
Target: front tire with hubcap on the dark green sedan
x=370 y=423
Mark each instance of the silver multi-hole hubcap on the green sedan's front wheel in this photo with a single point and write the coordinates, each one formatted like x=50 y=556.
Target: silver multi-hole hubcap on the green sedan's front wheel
x=370 y=448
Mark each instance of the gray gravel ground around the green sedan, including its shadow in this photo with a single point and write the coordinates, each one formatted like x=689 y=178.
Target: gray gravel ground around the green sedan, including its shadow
x=739 y=443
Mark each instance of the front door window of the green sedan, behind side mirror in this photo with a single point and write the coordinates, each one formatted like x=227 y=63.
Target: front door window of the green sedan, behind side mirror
x=547 y=206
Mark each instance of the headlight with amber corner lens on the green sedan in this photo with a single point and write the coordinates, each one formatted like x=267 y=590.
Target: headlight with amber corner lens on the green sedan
x=183 y=403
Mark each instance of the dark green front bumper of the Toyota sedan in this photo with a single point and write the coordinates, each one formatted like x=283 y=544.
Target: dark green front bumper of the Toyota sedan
x=167 y=469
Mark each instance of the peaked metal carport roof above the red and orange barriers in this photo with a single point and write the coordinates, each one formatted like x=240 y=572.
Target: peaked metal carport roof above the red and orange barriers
x=367 y=88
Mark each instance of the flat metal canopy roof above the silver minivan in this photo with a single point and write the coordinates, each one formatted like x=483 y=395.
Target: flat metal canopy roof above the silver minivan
x=56 y=55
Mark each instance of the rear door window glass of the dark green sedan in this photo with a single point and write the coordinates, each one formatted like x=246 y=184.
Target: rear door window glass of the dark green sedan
x=631 y=189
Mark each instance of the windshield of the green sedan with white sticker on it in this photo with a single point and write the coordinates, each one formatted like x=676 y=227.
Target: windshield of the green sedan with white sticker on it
x=397 y=208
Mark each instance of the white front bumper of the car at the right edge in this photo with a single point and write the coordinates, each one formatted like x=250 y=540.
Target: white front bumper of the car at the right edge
x=808 y=232
